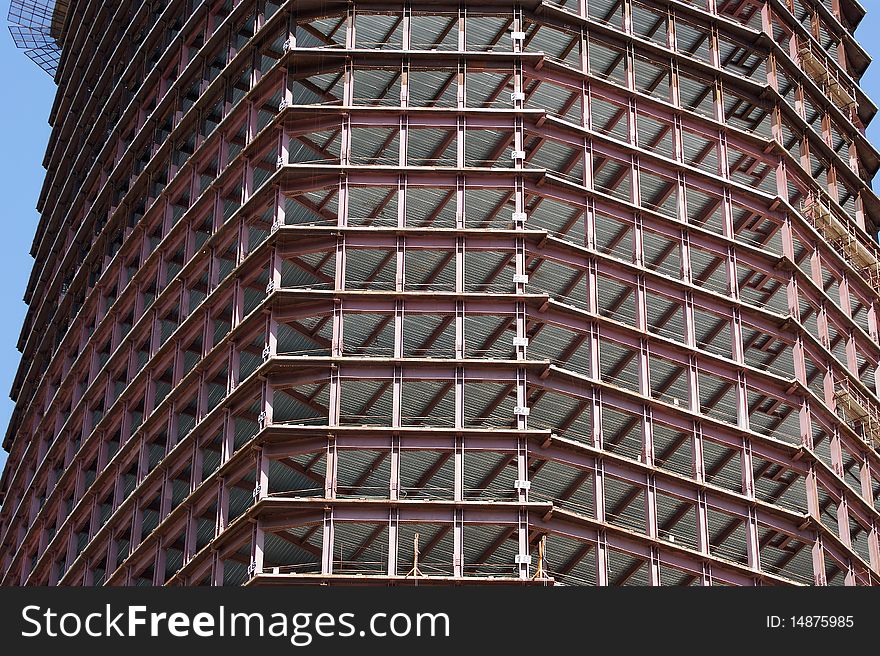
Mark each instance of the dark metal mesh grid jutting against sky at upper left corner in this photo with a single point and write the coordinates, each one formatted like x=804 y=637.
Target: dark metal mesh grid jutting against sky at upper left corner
x=36 y=27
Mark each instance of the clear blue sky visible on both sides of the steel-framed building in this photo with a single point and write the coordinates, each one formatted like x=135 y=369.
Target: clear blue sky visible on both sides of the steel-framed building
x=24 y=113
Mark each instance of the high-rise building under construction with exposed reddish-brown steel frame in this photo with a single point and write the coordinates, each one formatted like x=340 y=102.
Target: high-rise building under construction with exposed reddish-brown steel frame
x=539 y=292
